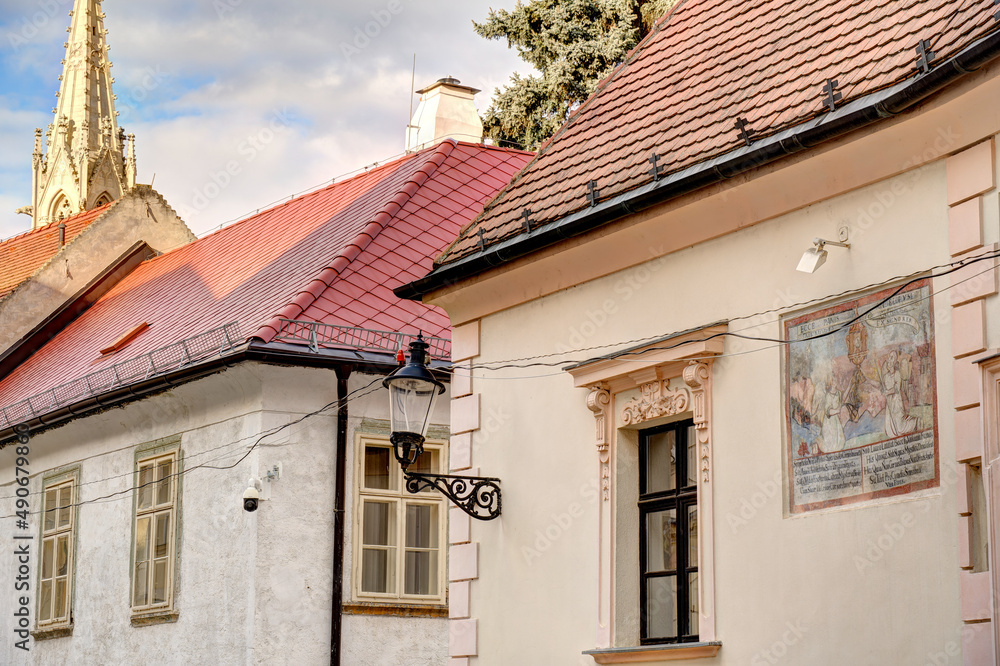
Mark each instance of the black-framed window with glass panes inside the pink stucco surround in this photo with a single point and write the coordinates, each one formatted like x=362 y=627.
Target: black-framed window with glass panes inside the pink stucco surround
x=668 y=534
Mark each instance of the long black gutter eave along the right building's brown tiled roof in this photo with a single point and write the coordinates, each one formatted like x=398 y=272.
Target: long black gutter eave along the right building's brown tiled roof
x=853 y=116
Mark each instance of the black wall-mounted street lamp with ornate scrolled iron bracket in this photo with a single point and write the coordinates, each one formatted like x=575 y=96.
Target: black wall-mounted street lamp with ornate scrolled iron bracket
x=412 y=393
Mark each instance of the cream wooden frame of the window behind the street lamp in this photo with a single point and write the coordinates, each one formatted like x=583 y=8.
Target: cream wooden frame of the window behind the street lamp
x=400 y=499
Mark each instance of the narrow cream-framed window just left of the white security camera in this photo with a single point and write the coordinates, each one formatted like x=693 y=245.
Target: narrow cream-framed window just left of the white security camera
x=153 y=549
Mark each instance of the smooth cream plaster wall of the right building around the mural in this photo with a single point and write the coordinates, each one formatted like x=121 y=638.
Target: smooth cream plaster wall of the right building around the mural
x=538 y=574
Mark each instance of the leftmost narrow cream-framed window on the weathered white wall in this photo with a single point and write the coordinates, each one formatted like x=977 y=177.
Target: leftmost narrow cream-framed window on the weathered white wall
x=55 y=581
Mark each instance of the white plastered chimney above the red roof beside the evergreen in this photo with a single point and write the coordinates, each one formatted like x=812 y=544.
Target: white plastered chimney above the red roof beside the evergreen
x=446 y=111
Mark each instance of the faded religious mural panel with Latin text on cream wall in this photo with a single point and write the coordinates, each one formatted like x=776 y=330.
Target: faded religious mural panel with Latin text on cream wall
x=861 y=399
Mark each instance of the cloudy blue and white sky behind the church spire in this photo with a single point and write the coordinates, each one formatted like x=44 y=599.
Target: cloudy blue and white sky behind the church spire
x=296 y=92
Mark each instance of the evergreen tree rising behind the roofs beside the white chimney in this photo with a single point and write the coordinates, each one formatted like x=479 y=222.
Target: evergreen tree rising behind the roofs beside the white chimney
x=573 y=44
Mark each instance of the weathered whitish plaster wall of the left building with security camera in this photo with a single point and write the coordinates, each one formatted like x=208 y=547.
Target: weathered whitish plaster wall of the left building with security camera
x=254 y=588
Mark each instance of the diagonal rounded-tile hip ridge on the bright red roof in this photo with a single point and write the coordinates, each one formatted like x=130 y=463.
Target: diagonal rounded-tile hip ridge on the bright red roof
x=312 y=291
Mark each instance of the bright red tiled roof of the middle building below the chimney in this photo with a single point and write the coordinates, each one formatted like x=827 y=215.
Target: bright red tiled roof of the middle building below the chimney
x=332 y=256
